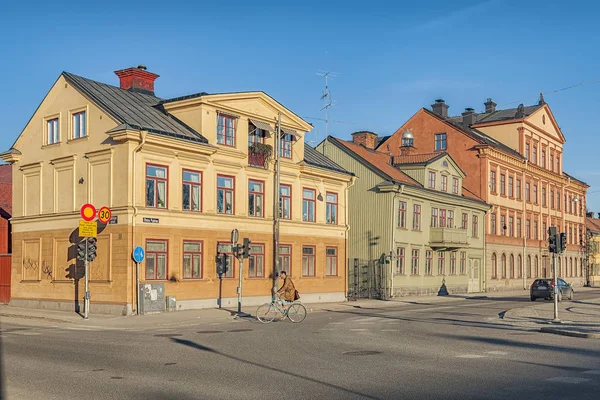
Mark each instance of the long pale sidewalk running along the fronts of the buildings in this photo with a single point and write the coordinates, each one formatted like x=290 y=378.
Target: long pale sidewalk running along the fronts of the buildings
x=32 y=316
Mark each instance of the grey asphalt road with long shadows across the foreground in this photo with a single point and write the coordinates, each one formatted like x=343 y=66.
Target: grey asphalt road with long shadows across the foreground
x=458 y=350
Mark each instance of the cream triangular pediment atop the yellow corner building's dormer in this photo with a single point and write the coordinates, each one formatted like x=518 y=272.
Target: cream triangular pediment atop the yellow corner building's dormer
x=260 y=106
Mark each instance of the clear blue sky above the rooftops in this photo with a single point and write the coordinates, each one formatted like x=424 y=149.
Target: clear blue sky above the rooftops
x=392 y=58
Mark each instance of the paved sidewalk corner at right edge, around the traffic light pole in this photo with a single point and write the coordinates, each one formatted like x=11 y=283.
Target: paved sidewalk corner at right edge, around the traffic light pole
x=577 y=318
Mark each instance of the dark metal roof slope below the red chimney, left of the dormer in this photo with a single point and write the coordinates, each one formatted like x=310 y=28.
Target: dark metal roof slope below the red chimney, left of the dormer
x=134 y=110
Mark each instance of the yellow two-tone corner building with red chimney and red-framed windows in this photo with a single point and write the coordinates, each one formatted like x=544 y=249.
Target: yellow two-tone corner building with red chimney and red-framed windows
x=179 y=175
